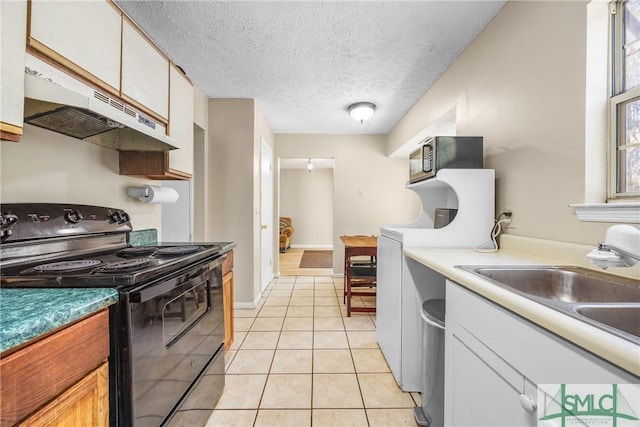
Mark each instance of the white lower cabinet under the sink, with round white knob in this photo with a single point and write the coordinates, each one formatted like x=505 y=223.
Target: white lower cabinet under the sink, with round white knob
x=495 y=360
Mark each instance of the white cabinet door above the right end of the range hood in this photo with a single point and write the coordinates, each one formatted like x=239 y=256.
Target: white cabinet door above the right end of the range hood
x=145 y=72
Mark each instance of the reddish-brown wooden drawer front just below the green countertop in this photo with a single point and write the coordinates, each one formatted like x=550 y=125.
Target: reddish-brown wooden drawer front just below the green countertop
x=34 y=375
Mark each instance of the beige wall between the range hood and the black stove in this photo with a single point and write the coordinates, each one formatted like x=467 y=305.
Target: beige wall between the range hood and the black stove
x=50 y=167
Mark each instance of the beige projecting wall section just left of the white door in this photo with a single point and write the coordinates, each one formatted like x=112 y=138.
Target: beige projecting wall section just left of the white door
x=236 y=127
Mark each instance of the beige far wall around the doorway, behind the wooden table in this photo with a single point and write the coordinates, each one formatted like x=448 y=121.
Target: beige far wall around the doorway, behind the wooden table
x=361 y=167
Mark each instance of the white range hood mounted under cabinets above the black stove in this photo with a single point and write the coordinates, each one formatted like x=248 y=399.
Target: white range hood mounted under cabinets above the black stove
x=62 y=104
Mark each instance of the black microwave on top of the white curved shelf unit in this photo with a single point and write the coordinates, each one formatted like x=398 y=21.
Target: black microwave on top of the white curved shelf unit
x=443 y=152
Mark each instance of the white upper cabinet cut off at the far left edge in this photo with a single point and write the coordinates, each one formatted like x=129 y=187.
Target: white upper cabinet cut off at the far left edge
x=13 y=23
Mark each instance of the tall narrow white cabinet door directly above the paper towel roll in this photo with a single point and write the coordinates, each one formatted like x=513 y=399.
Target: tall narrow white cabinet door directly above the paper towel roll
x=181 y=121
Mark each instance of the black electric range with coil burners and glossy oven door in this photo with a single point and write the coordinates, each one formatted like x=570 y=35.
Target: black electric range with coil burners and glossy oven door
x=167 y=329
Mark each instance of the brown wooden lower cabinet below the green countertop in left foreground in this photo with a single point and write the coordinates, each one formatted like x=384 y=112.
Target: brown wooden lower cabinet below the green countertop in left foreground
x=61 y=379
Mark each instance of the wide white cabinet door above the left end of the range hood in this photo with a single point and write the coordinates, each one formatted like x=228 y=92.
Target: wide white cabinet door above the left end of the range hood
x=83 y=36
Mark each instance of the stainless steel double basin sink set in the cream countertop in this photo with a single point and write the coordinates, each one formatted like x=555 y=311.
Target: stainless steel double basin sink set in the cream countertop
x=604 y=300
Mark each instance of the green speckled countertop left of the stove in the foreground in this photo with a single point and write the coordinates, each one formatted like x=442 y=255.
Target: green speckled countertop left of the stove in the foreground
x=26 y=314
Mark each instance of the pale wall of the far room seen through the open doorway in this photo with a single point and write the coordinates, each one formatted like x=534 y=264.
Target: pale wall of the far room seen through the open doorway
x=307 y=198
